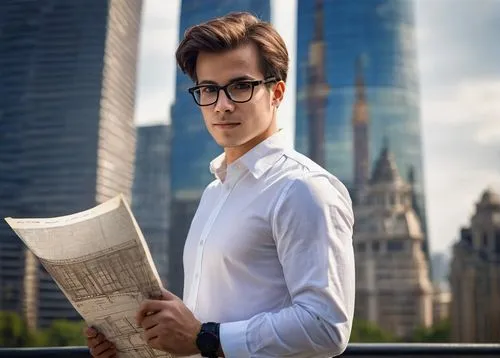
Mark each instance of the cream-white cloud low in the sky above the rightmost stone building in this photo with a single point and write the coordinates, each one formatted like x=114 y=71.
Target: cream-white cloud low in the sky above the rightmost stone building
x=461 y=154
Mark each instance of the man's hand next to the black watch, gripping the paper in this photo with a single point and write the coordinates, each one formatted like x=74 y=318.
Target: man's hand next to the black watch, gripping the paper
x=169 y=325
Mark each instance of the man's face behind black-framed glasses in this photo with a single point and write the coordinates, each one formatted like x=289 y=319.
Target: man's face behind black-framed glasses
x=234 y=124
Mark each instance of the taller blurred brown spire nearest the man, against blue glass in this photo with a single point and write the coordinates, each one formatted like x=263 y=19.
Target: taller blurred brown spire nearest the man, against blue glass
x=317 y=89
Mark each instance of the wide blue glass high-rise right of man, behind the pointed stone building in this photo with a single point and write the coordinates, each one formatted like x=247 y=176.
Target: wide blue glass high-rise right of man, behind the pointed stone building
x=357 y=87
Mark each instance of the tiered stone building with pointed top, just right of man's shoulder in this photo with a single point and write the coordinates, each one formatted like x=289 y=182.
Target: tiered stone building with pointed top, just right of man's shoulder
x=393 y=288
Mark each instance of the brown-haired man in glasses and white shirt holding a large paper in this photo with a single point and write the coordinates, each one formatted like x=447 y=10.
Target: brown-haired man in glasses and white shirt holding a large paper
x=269 y=264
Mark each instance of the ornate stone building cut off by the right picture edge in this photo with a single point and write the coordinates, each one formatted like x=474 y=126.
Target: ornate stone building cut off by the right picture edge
x=475 y=275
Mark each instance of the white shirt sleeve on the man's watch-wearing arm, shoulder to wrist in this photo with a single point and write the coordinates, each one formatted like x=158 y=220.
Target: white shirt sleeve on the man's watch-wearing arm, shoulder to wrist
x=312 y=227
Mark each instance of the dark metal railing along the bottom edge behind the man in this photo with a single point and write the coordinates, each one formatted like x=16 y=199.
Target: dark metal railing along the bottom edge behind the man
x=364 y=350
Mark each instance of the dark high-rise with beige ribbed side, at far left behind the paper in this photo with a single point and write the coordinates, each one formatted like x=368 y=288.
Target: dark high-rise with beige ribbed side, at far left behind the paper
x=67 y=92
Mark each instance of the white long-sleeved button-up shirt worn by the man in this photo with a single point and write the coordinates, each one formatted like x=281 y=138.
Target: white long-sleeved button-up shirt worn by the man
x=269 y=255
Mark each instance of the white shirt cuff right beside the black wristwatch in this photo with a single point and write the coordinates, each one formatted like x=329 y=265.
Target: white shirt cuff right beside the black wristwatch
x=233 y=339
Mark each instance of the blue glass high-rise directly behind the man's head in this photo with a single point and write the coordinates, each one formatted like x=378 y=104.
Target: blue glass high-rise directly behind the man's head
x=192 y=146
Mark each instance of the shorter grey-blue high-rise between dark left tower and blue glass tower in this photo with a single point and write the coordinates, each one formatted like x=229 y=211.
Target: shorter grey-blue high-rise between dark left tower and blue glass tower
x=151 y=191
